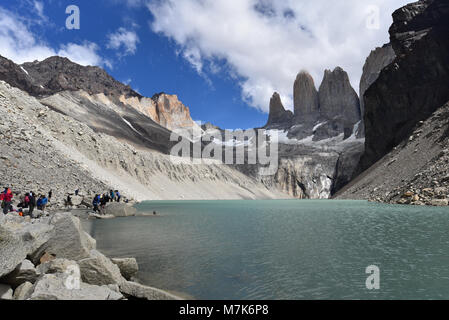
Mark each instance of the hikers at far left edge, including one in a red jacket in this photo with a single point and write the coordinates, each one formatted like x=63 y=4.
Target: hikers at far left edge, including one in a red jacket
x=28 y=201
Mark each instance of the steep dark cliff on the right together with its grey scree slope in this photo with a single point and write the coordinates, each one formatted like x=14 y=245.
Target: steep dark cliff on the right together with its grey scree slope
x=407 y=114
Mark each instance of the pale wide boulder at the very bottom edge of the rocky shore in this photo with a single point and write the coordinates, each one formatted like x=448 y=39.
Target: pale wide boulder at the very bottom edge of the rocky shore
x=53 y=287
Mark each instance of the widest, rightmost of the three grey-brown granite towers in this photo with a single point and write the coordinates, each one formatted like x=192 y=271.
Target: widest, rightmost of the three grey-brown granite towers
x=337 y=98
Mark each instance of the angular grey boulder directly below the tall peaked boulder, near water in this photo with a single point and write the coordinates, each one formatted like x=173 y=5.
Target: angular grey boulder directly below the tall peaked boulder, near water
x=99 y=270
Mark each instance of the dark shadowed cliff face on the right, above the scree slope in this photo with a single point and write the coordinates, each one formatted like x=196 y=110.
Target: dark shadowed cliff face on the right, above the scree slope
x=411 y=88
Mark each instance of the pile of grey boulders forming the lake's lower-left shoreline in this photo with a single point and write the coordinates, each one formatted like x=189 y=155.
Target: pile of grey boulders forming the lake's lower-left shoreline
x=53 y=258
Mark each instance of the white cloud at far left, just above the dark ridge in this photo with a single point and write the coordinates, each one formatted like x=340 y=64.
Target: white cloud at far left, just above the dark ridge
x=19 y=44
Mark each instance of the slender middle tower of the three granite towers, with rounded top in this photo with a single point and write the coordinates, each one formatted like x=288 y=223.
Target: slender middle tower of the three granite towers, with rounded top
x=305 y=97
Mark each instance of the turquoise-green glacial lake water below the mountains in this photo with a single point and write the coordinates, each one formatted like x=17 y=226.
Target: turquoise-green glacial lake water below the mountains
x=284 y=249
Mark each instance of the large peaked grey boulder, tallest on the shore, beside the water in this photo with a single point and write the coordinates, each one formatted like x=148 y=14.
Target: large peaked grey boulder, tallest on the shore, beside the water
x=69 y=241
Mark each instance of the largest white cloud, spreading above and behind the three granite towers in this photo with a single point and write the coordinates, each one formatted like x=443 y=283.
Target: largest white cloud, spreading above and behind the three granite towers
x=268 y=42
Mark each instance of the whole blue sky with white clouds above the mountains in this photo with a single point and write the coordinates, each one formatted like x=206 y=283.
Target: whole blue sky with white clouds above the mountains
x=223 y=58
